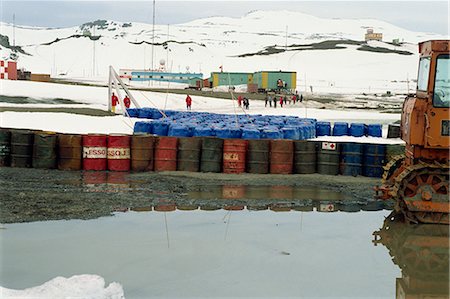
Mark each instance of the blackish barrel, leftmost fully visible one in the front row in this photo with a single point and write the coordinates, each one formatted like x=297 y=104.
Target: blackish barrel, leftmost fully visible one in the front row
x=21 y=148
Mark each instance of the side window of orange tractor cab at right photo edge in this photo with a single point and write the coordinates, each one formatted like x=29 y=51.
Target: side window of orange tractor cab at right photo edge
x=441 y=95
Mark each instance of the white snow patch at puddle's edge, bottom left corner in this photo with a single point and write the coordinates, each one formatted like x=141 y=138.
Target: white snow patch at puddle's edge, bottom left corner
x=78 y=286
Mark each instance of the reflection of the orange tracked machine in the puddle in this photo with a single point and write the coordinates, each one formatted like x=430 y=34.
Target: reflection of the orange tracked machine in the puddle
x=422 y=253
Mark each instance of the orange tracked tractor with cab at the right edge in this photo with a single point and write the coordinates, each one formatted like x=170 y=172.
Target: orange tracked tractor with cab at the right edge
x=418 y=180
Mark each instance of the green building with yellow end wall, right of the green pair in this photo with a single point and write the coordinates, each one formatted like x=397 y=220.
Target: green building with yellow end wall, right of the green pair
x=268 y=80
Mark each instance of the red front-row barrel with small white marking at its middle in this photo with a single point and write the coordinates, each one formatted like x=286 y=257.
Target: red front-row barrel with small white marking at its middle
x=234 y=154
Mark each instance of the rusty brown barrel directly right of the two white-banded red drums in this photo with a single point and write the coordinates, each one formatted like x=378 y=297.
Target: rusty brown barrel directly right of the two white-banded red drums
x=142 y=149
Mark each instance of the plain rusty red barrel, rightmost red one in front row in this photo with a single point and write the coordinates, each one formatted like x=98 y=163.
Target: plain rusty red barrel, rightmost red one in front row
x=281 y=156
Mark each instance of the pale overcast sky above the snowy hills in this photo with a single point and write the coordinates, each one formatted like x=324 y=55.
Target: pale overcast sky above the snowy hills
x=425 y=16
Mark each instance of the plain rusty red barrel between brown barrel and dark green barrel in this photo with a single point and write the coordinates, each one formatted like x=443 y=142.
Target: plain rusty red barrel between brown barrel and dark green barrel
x=166 y=153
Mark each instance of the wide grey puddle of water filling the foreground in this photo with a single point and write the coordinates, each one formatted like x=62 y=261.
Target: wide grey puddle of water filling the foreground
x=229 y=254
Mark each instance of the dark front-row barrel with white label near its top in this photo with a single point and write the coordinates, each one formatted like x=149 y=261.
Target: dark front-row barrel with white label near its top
x=328 y=158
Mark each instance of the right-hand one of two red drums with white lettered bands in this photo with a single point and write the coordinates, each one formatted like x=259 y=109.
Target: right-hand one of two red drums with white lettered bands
x=119 y=152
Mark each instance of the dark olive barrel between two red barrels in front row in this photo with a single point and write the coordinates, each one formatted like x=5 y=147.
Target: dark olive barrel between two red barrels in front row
x=258 y=156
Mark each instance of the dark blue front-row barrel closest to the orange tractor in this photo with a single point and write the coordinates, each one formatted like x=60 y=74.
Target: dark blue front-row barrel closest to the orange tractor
x=373 y=160
